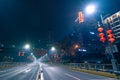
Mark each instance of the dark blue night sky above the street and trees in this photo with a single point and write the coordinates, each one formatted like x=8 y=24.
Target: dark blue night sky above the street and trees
x=22 y=20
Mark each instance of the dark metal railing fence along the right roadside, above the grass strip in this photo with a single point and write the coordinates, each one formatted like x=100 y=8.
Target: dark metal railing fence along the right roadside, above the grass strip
x=90 y=66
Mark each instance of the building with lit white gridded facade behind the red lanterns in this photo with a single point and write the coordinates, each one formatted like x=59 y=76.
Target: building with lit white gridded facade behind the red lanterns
x=113 y=22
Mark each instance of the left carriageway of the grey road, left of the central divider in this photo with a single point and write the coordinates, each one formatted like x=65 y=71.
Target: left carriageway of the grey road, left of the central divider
x=26 y=72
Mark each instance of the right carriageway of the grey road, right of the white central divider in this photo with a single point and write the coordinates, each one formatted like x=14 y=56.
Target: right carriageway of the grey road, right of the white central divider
x=52 y=72
